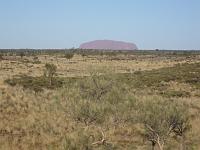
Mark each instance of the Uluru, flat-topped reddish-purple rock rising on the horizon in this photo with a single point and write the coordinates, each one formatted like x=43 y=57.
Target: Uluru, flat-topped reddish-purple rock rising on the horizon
x=108 y=45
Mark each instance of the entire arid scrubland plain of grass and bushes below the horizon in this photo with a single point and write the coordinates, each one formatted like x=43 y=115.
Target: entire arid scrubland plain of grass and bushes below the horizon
x=111 y=100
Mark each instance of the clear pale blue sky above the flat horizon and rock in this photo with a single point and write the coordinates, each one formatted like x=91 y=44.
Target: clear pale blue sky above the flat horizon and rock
x=164 y=24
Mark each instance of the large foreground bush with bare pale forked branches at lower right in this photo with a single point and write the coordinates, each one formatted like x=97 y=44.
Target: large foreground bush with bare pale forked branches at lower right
x=161 y=118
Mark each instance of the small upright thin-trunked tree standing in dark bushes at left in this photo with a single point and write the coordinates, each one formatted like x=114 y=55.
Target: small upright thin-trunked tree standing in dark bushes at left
x=50 y=72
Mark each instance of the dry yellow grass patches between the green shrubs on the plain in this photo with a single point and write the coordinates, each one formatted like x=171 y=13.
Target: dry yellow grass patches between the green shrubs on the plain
x=39 y=121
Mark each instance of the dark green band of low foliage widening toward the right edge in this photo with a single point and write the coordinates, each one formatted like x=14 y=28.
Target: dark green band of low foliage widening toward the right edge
x=156 y=79
